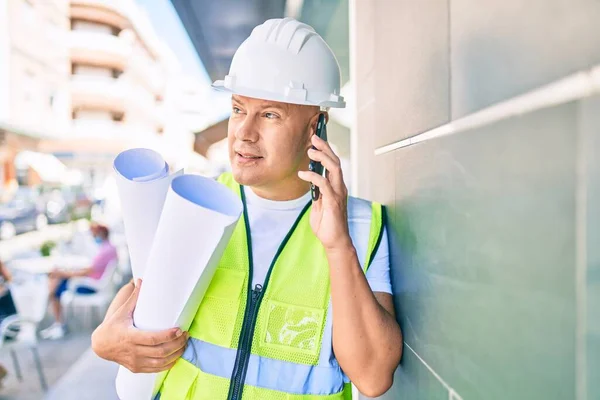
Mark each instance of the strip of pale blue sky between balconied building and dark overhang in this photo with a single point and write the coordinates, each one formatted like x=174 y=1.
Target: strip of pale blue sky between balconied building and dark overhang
x=168 y=26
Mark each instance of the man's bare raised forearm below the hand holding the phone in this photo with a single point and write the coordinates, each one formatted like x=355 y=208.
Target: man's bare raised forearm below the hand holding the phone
x=366 y=338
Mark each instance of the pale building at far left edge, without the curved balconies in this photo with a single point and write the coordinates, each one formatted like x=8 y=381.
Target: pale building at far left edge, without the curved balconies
x=34 y=76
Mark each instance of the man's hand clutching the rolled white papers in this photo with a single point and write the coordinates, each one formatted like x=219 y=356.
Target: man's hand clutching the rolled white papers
x=116 y=339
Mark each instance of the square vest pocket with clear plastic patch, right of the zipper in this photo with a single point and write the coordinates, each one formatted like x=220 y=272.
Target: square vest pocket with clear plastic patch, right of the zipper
x=294 y=329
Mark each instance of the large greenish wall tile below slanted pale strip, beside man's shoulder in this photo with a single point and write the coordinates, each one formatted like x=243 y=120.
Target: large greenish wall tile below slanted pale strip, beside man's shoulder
x=484 y=222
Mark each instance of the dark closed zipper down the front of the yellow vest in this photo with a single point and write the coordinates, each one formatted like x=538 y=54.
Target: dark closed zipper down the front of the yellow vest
x=244 y=349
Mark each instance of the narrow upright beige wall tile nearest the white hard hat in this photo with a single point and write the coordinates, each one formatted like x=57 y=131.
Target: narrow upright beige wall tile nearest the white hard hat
x=411 y=67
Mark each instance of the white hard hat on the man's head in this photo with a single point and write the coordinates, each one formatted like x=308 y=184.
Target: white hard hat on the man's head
x=285 y=60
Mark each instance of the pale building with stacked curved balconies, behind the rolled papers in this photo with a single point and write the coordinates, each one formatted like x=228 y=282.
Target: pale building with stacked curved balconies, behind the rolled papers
x=117 y=81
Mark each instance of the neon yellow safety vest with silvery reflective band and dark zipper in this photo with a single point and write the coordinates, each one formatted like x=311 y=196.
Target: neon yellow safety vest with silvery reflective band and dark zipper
x=274 y=351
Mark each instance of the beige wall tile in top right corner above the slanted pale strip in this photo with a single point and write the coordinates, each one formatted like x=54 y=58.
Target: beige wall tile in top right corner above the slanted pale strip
x=501 y=49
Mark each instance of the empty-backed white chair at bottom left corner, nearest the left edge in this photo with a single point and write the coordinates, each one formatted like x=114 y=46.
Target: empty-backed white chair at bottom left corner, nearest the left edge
x=31 y=300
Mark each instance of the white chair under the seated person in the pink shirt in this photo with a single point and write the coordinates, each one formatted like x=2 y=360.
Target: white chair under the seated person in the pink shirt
x=94 y=302
